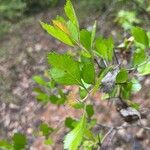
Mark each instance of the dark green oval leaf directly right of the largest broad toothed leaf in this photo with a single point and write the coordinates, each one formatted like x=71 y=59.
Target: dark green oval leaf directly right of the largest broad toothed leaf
x=88 y=72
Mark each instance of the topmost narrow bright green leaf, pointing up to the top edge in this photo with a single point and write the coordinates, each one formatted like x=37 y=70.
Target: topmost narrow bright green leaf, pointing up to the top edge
x=70 y=13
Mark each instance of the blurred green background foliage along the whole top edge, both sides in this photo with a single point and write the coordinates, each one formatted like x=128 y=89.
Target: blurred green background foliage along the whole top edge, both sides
x=12 y=11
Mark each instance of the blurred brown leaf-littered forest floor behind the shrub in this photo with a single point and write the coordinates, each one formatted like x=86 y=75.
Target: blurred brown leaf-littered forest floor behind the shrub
x=23 y=54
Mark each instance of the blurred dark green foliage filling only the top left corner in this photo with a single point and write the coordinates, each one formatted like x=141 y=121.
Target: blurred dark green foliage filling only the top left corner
x=13 y=10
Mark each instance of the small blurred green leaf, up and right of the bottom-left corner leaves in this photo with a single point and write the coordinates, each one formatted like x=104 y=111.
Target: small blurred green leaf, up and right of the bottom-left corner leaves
x=45 y=129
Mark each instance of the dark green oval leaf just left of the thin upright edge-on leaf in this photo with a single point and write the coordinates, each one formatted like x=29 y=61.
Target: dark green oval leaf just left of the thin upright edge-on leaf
x=85 y=39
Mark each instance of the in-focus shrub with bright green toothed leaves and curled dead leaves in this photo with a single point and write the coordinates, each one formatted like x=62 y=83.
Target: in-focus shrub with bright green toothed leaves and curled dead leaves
x=93 y=66
